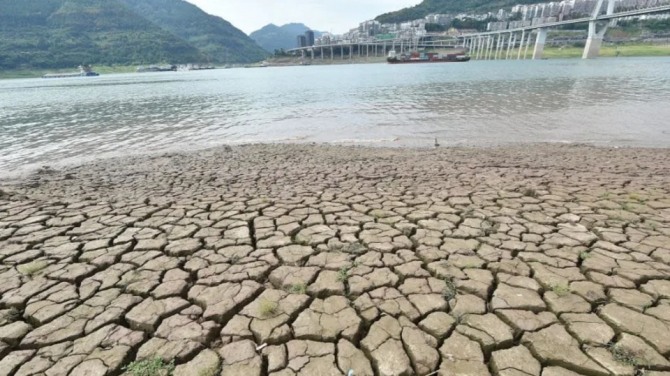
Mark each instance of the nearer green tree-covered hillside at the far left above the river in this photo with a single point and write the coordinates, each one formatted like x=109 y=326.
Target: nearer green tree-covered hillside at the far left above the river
x=66 y=33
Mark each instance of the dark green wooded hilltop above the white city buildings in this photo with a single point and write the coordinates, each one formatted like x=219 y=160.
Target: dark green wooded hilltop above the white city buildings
x=427 y=7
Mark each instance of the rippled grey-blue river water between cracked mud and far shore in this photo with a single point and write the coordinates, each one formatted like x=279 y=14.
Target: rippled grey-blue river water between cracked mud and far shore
x=613 y=102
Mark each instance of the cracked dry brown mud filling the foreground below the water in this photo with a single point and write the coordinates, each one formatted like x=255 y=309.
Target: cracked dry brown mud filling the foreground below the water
x=517 y=261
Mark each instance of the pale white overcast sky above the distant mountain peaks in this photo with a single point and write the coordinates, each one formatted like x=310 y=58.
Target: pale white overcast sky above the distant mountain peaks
x=333 y=16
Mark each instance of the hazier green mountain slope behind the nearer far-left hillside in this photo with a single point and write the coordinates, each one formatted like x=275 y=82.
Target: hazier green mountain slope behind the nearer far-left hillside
x=213 y=36
